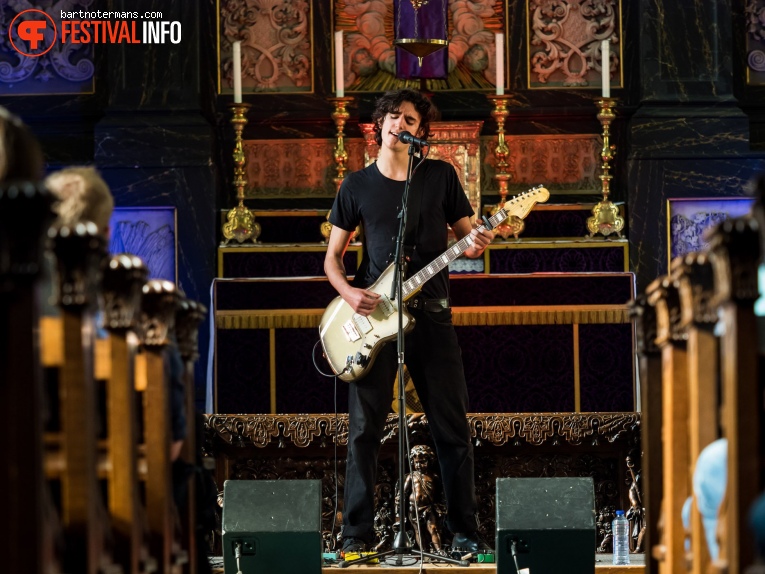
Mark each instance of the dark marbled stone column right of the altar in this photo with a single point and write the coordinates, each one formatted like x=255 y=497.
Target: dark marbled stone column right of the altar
x=688 y=136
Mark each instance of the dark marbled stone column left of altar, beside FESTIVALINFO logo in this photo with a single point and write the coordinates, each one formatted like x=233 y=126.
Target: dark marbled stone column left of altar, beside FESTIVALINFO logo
x=154 y=146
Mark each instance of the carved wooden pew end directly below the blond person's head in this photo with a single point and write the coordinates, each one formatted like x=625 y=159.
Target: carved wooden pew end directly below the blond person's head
x=79 y=250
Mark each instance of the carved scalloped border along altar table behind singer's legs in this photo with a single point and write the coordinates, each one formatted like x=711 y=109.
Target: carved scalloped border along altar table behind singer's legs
x=497 y=429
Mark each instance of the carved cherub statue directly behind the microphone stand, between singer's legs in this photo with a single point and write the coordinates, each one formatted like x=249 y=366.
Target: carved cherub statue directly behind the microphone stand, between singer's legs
x=424 y=499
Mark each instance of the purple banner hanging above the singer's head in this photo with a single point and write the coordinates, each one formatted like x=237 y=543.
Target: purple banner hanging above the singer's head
x=431 y=25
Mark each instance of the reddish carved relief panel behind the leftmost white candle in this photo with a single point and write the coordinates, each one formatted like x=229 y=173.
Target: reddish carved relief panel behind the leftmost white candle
x=277 y=51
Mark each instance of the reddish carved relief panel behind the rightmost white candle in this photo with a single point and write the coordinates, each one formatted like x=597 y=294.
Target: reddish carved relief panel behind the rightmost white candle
x=564 y=41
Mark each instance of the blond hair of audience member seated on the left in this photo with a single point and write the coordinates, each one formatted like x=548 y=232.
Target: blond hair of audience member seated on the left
x=82 y=195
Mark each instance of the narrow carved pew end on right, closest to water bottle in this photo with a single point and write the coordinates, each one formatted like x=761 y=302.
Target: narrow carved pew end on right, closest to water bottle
x=649 y=359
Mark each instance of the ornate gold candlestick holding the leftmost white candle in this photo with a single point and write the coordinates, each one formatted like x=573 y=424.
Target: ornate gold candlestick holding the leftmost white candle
x=240 y=224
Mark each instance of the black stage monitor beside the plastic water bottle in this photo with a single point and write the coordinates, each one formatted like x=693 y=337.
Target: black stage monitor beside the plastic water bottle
x=551 y=523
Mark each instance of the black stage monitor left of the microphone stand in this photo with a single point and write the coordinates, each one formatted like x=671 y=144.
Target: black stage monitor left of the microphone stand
x=272 y=526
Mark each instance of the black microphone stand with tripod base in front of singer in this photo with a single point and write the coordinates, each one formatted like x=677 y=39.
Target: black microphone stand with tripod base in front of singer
x=402 y=545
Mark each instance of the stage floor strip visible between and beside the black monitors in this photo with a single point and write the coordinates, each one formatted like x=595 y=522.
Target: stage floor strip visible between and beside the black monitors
x=602 y=566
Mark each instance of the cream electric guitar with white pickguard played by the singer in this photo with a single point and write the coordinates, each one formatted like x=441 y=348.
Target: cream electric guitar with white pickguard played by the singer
x=351 y=341
